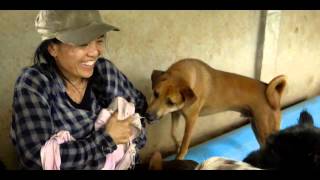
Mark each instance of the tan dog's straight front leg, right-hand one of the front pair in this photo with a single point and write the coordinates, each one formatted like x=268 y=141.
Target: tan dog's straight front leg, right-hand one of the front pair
x=190 y=122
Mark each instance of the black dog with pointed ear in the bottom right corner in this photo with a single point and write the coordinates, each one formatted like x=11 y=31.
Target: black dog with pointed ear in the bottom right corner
x=296 y=147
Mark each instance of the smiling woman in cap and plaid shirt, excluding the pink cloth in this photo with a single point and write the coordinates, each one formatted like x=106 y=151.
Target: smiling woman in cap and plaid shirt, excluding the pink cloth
x=68 y=90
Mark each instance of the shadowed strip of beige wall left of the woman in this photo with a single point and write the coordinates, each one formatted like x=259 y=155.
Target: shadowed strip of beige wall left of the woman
x=17 y=41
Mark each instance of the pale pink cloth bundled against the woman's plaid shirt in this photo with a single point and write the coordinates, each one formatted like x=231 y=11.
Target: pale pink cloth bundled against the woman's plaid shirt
x=120 y=159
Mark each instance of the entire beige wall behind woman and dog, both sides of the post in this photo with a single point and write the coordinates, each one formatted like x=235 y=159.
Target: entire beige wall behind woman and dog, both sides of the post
x=226 y=40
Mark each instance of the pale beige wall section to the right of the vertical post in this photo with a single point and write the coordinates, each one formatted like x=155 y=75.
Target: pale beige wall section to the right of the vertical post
x=297 y=54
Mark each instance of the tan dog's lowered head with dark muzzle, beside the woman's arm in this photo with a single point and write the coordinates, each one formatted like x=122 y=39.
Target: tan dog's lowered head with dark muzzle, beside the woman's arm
x=170 y=94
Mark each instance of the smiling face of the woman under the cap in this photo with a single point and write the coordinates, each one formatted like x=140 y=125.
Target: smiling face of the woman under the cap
x=77 y=62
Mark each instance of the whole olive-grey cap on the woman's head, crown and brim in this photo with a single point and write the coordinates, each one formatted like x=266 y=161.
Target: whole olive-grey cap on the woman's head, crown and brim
x=71 y=26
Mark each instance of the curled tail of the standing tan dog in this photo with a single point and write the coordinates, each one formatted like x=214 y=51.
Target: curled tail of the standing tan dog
x=275 y=89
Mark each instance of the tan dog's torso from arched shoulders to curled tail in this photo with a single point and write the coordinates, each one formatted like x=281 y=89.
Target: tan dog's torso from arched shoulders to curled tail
x=225 y=90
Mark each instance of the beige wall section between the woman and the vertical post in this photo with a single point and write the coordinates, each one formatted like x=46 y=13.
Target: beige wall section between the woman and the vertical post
x=155 y=39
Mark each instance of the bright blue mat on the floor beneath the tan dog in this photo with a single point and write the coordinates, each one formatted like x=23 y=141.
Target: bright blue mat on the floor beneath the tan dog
x=238 y=143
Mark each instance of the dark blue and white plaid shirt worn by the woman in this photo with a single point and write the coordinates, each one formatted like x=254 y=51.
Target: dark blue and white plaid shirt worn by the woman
x=41 y=108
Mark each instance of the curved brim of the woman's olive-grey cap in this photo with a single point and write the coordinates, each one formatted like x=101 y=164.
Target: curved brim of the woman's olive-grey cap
x=86 y=34
